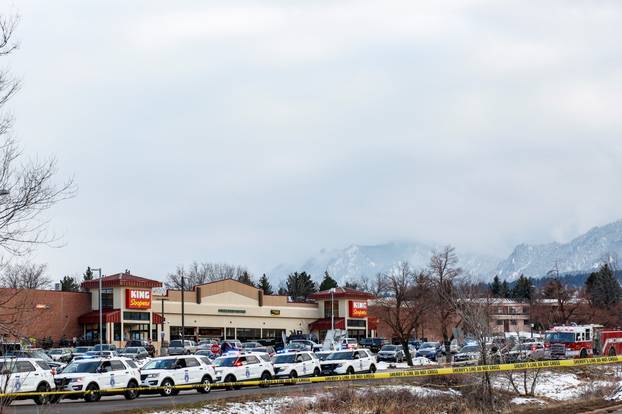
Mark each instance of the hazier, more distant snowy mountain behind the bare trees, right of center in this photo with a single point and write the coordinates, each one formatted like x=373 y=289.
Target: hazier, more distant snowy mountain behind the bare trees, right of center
x=359 y=260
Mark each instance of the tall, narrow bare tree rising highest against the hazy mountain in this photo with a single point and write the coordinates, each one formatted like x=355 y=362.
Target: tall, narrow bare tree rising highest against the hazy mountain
x=443 y=271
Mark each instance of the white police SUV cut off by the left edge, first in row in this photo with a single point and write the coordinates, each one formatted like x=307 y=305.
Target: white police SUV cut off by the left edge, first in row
x=18 y=375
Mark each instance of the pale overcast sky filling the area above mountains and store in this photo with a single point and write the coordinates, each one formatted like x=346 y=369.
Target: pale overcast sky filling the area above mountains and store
x=258 y=132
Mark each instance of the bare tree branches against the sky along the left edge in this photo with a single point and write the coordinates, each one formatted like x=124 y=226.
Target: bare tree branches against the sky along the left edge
x=27 y=187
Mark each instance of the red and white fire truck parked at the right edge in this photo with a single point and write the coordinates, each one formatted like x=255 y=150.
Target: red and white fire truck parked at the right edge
x=582 y=341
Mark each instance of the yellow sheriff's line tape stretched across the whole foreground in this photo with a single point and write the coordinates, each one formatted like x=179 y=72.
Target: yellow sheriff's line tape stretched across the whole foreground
x=565 y=363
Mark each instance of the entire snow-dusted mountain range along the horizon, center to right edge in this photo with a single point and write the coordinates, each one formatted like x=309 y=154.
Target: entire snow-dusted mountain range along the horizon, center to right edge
x=582 y=254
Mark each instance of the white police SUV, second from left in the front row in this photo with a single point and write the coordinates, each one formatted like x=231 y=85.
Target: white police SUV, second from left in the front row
x=97 y=374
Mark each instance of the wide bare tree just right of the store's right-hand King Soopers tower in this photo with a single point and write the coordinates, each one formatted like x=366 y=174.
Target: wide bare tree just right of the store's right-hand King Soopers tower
x=404 y=304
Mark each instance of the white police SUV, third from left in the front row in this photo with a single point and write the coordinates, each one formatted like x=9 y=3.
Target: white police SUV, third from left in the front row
x=170 y=371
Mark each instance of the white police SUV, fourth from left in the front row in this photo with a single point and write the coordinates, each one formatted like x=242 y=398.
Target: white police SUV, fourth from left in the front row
x=244 y=367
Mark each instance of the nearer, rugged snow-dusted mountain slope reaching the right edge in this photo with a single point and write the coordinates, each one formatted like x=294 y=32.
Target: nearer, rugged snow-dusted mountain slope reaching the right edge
x=584 y=253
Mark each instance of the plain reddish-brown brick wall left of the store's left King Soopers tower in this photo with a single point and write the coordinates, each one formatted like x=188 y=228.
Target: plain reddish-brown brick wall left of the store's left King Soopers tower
x=42 y=313
